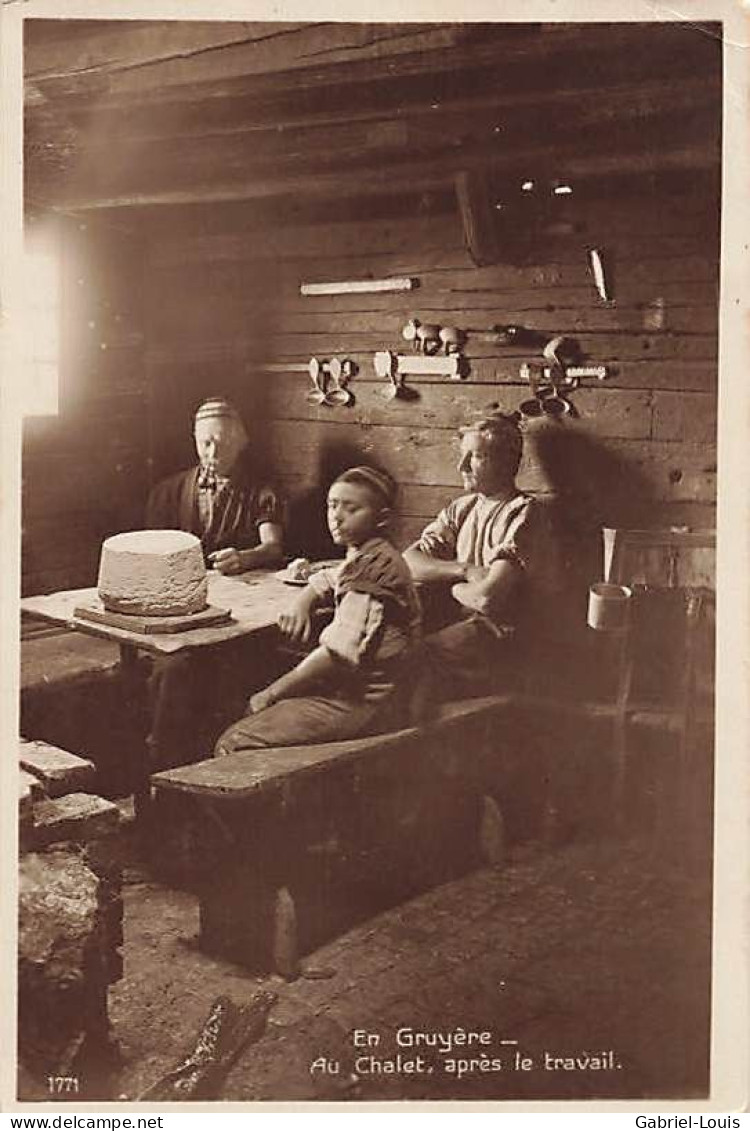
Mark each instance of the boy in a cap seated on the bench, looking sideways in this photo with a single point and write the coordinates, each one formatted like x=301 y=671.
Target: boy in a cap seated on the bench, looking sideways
x=348 y=686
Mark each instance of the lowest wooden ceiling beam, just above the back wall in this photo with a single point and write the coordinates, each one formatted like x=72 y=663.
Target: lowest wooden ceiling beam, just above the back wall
x=402 y=145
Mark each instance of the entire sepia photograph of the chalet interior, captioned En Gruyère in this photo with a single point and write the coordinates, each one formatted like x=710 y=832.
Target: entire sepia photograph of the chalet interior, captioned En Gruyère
x=368 y=560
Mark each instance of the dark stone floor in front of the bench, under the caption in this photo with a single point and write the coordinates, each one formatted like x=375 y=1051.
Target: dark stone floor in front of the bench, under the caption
x=600 y=949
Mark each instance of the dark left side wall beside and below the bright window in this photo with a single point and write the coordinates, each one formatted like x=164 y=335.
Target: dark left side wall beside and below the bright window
x=85 y=470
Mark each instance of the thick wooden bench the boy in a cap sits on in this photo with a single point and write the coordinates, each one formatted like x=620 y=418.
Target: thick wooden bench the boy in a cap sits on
x=289 y=848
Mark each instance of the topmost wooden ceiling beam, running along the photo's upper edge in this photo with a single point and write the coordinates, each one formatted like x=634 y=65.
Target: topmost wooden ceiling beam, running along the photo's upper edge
x=271 y=68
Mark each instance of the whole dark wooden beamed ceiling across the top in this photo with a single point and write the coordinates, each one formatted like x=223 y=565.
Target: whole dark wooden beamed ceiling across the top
x=357 y=119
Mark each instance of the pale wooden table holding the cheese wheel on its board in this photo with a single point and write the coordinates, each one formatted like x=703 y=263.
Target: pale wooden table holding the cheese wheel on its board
x=255 y=600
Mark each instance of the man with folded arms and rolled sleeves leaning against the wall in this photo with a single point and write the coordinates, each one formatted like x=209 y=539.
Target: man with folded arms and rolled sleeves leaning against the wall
x=496 y=551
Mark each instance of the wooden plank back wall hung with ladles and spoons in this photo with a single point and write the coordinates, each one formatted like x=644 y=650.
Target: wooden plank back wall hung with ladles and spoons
x=225 y=298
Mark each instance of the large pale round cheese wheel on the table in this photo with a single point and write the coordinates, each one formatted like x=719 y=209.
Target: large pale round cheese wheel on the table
x=153 y=574
